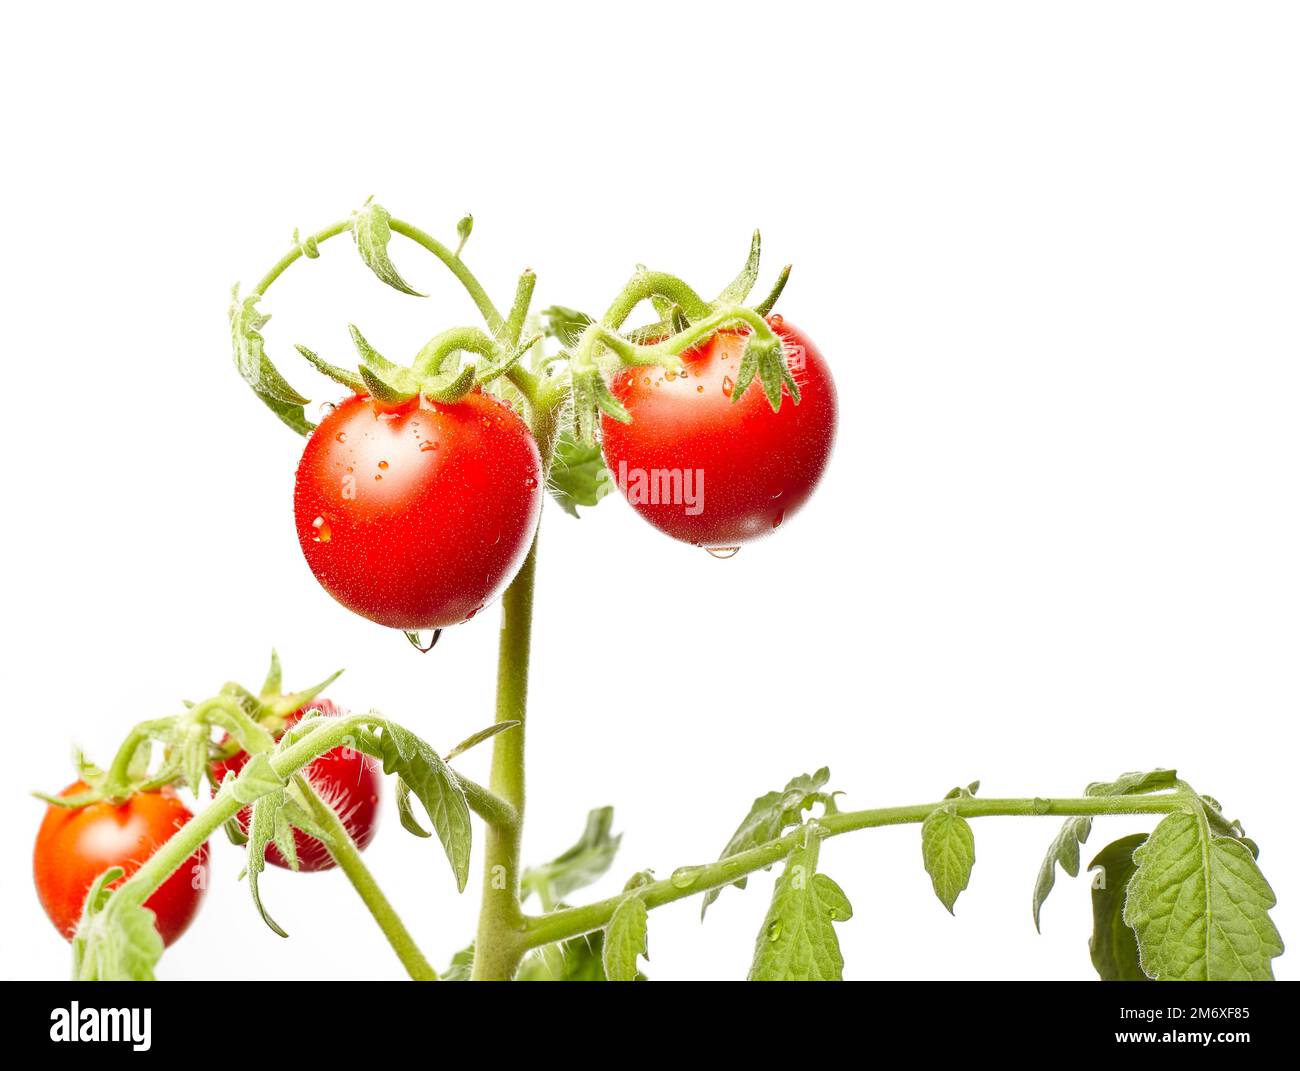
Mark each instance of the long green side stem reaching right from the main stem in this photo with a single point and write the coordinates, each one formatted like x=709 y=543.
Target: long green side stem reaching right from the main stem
x=573 y=922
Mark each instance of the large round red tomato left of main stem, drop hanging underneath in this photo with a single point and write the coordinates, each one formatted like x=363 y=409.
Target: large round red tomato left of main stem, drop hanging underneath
x=418 y=517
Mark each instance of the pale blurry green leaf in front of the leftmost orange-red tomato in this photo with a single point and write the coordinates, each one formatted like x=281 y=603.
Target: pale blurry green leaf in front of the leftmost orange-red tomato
x=116 y=940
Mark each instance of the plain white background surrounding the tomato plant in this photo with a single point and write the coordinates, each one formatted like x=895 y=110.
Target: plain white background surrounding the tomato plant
x=1051 y=253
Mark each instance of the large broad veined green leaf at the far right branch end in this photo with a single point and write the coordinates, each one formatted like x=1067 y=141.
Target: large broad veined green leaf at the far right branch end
x=1201 y=907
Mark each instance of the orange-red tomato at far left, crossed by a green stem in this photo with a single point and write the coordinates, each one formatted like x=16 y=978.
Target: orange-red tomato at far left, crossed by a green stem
x=76 y=847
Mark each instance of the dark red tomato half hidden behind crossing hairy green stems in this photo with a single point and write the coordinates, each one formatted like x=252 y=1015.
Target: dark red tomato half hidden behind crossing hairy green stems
x=348 y=781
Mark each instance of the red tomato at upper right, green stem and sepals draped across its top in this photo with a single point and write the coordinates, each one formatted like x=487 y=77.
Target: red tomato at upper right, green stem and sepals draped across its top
x=712 y=472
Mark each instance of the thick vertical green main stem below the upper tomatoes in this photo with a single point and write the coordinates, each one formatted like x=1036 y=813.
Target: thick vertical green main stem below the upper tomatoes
x=500 y=944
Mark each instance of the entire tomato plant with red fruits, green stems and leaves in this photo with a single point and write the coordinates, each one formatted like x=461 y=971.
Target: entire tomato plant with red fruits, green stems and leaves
x=418 y=500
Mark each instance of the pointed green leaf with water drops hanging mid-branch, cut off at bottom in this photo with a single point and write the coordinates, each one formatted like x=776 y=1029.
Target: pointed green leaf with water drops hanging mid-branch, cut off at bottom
x=798 y=942
